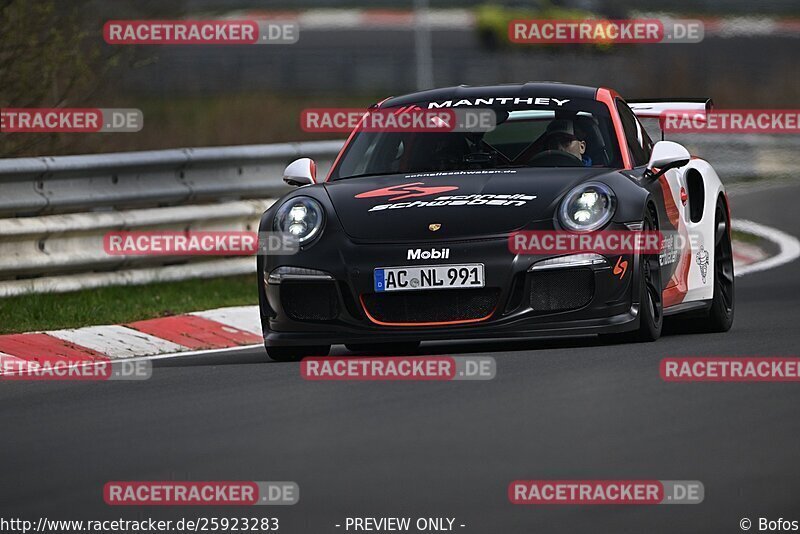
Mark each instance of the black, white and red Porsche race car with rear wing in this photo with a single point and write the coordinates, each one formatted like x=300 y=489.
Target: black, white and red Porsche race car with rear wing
x=408 y=237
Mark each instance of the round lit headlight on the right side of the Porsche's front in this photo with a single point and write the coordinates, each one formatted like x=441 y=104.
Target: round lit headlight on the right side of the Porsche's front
x=587 y=207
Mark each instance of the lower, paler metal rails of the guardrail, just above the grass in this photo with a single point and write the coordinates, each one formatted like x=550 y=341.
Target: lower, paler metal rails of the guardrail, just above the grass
x=57 y=253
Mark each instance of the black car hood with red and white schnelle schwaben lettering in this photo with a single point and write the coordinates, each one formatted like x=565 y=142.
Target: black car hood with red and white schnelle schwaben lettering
x=408 y=207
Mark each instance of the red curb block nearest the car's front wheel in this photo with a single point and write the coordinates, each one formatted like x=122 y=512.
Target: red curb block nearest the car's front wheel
x=196 y=332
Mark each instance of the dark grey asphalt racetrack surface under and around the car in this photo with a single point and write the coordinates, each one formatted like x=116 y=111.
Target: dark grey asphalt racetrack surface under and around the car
x=574 y=409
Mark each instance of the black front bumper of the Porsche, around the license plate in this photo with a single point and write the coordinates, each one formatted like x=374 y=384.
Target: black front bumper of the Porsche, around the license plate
x=612 y=306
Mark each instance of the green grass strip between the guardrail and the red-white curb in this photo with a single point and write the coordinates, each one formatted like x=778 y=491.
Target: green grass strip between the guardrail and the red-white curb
x=115 y=305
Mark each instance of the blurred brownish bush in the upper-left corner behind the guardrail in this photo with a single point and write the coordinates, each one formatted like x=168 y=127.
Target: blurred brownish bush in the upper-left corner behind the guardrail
x=52 y=54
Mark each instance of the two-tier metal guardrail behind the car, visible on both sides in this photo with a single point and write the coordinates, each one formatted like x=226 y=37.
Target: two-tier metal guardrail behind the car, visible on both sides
x=54 y=211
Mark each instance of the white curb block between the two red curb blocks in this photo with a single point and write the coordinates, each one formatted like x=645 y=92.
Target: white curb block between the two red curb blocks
x=118 y=341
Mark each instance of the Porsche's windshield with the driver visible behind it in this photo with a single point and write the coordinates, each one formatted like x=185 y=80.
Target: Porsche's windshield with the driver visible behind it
x=578 y=132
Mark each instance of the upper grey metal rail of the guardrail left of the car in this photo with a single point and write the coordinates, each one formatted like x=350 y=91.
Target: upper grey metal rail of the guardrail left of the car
x=69 y=184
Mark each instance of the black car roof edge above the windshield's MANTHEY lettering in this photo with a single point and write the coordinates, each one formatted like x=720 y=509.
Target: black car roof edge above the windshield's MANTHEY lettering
x=468 y=92
